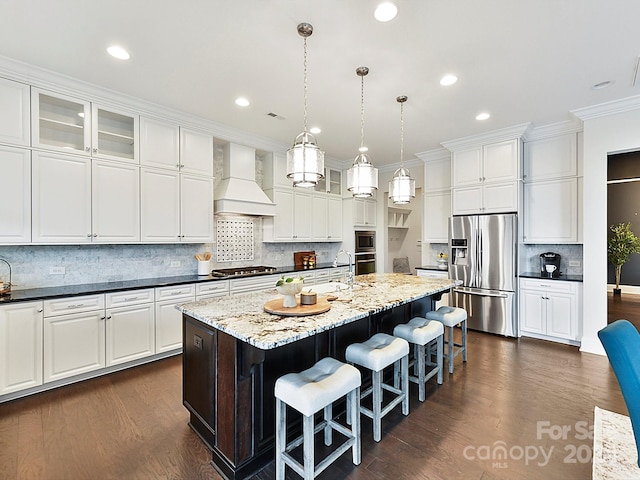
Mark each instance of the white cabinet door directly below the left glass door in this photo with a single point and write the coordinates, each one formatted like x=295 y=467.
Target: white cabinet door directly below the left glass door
x=61 y=198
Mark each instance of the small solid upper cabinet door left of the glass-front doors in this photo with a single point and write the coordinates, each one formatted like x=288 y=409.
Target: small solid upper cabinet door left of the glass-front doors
x=14 y=113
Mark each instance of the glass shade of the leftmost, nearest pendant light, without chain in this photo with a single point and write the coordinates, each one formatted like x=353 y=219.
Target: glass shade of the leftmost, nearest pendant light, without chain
x=305 y=161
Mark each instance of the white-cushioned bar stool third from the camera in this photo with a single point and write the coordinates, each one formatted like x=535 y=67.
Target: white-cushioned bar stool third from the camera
x=423 y=334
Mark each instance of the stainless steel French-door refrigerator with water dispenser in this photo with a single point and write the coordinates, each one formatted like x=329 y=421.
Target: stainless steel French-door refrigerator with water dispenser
x=482 y=254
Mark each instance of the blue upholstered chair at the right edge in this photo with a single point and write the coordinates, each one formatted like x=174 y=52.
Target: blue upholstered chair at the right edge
x=621 y=341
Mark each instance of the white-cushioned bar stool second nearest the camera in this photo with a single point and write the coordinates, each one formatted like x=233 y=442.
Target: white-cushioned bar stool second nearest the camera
x=377 y=353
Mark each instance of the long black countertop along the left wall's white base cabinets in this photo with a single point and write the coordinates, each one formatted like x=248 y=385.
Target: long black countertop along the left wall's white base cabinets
x=46 y=293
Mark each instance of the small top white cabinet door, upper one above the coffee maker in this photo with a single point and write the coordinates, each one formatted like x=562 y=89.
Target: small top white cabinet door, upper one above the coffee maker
x=551 y=158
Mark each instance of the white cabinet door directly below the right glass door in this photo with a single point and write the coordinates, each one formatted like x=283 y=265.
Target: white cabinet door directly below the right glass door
x=115 y=202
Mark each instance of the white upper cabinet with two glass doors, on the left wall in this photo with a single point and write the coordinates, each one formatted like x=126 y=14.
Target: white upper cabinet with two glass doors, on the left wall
x=71 y=125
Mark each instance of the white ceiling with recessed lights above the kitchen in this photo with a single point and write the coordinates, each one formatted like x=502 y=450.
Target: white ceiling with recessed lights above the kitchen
x=522 y=61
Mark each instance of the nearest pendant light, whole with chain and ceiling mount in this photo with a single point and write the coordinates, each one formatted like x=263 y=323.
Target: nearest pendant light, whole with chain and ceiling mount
x=305 y=161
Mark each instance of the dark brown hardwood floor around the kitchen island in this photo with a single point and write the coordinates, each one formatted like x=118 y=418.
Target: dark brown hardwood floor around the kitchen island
x=492 y=419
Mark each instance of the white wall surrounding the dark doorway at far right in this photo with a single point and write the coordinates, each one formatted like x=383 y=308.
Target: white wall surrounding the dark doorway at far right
x=613 y=133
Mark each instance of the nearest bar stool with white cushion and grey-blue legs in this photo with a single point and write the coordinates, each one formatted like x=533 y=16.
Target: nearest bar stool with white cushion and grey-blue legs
x=308 y=392
